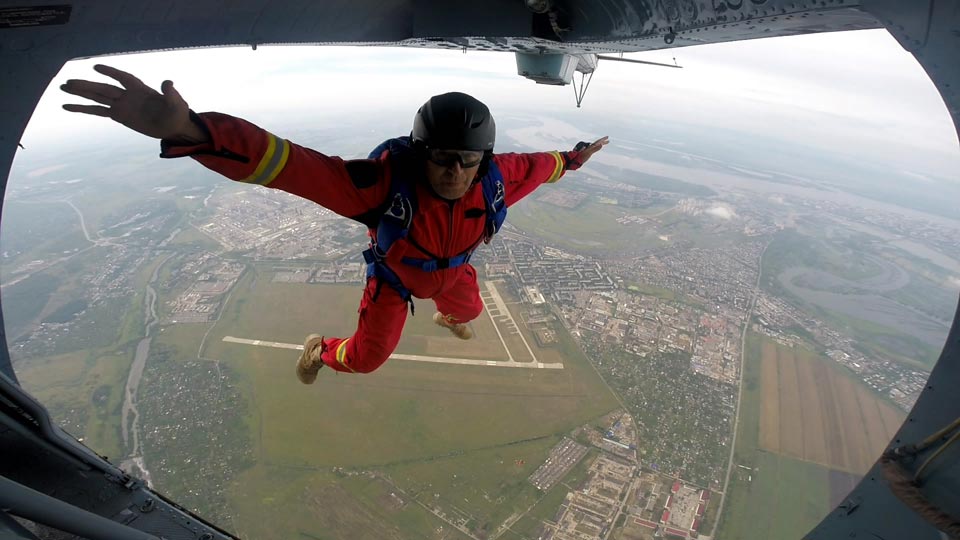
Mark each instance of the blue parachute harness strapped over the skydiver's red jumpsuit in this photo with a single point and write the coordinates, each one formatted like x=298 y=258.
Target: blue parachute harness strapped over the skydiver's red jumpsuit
x=395 y=222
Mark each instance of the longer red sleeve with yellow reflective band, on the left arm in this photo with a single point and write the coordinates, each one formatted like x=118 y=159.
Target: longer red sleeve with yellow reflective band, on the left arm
x=246 y=153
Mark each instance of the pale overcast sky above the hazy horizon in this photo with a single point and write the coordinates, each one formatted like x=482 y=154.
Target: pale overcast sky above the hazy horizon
x=856 y=91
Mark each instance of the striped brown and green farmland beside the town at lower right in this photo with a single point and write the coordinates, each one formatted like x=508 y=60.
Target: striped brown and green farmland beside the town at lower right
x=808 y=432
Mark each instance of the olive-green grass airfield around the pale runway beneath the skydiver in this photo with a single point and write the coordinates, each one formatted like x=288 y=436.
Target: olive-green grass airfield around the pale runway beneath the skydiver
x=413 y=450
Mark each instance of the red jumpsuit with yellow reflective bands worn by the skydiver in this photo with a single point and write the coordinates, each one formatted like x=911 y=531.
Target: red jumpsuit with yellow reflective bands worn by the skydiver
x=357 y=189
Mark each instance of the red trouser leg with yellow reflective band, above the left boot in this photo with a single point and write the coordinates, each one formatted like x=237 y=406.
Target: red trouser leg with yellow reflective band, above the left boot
x=382 y=315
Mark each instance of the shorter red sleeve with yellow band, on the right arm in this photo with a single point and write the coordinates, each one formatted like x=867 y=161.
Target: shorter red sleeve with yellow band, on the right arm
x=523 y=173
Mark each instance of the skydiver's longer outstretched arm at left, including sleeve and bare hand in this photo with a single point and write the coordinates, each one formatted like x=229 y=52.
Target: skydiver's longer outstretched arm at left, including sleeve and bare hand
x=233 y=147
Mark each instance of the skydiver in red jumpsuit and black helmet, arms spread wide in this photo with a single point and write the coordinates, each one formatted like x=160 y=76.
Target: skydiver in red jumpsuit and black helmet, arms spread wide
x=442 y=184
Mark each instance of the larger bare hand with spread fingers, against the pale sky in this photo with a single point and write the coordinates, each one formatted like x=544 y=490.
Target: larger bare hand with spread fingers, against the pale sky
x=137 y=106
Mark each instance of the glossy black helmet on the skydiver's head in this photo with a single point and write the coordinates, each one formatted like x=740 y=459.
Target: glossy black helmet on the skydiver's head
x=454 y=121
